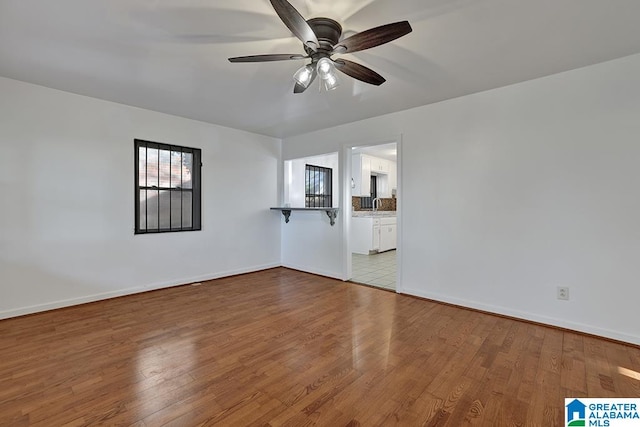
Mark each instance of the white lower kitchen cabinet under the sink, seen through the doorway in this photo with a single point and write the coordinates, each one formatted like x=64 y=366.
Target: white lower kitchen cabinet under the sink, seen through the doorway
x=372 y=234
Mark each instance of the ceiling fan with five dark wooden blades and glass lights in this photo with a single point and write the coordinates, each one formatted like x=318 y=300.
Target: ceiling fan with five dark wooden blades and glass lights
x=321 y=40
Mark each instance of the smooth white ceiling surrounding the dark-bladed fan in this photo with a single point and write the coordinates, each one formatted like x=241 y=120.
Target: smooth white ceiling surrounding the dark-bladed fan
x=171 y=55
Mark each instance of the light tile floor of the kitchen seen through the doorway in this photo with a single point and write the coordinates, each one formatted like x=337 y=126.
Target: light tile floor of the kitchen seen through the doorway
x=375 y=270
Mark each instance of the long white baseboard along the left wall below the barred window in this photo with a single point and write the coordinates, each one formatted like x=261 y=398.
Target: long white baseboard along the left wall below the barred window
x=128 y=291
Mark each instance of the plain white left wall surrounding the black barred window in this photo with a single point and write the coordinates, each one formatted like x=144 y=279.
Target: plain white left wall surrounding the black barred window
x=67 y=203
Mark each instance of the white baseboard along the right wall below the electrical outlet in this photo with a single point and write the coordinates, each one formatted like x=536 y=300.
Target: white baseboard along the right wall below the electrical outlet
x=560 y=323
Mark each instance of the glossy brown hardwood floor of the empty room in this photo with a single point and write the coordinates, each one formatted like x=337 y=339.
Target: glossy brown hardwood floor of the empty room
x=282 y=347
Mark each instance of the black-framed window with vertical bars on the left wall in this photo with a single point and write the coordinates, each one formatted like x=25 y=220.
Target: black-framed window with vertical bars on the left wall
x=167 y=187
